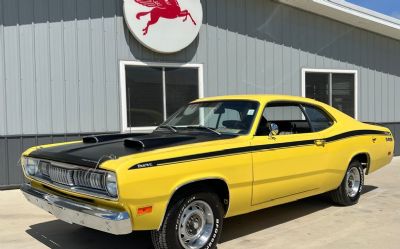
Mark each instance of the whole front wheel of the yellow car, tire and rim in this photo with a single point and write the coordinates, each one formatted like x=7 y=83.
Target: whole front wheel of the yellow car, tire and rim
x=193 y=222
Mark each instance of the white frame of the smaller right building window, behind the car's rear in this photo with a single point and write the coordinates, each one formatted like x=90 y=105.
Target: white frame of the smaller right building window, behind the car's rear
x=332 y=71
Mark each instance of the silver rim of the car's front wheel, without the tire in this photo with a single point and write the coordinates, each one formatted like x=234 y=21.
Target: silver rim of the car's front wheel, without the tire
x=195 y=225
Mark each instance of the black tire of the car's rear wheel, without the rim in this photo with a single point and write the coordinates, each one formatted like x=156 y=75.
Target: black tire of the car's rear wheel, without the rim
x=340 y=195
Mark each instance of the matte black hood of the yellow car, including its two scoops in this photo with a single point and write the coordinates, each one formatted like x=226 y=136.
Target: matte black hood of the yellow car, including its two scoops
x=94 y=150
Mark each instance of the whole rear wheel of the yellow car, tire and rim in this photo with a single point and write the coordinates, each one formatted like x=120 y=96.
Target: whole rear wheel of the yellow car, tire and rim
x=349 y=191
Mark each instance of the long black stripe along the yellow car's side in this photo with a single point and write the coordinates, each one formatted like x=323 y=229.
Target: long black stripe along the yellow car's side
x=249 y=149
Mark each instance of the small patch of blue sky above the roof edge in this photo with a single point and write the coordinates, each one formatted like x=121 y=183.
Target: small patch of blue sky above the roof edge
x=388 y=7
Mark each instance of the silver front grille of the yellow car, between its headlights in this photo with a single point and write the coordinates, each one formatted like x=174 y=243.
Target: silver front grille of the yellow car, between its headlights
x=84 y=178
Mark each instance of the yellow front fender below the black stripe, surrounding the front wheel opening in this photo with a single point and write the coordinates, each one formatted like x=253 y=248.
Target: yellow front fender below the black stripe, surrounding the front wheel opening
x=155 y=186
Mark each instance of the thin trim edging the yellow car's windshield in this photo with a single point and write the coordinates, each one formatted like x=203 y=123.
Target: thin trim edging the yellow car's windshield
x=220 y=100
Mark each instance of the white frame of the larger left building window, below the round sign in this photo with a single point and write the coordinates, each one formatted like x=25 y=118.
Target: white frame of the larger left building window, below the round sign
x=122 y=80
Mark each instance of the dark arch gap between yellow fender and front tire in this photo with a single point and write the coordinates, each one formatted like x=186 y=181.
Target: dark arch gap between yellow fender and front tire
x=217 y=184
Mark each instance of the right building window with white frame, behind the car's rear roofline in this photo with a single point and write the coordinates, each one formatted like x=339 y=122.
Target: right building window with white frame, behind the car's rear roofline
x=337 y=88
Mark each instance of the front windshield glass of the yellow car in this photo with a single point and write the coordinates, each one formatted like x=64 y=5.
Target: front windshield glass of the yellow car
x=226 y=117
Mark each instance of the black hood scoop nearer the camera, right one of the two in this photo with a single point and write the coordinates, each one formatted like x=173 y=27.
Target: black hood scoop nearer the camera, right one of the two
x=150 y=143
